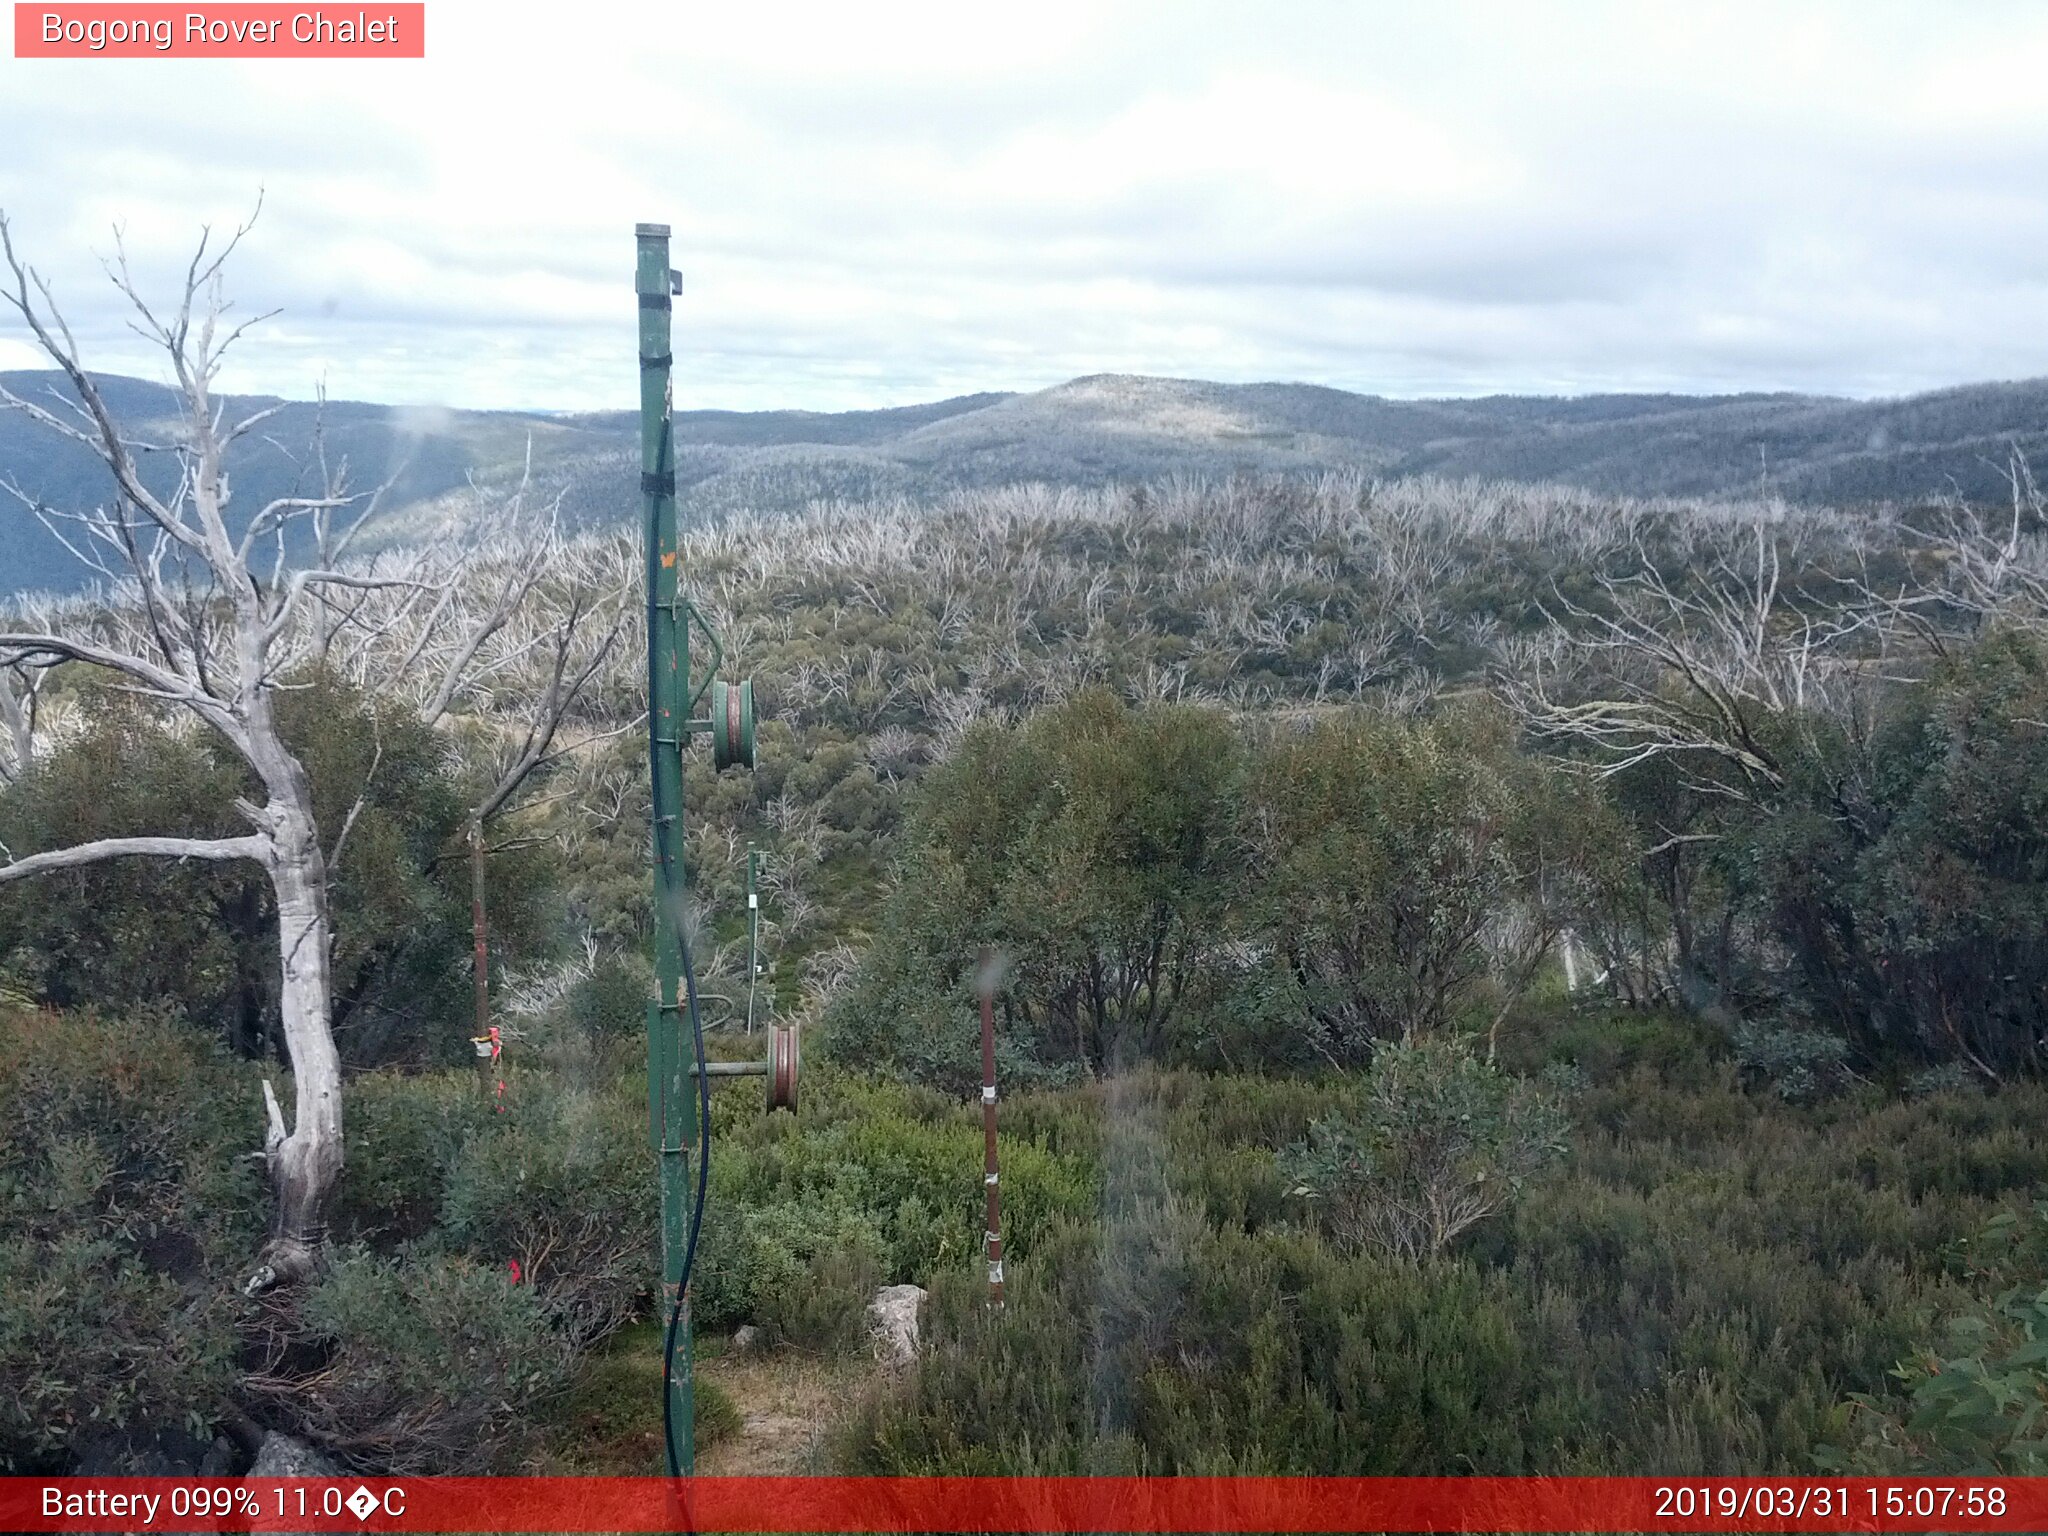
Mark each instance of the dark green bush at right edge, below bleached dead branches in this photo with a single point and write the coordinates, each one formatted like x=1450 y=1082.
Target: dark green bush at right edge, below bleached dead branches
x=1904 y=869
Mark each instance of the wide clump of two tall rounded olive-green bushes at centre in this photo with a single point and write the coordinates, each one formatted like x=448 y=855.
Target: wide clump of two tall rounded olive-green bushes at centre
x=1170 y=888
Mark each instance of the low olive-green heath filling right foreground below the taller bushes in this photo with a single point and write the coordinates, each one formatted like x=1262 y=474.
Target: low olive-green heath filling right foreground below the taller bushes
x=1693 y=1287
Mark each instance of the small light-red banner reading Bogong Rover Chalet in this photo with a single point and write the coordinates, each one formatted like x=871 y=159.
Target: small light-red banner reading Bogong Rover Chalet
x=220 y=32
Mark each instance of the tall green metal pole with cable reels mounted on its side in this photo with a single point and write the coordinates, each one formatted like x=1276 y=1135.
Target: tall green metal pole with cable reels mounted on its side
x=671 y=1101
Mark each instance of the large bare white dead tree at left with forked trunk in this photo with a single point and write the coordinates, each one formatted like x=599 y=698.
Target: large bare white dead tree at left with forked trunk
x=212 y=650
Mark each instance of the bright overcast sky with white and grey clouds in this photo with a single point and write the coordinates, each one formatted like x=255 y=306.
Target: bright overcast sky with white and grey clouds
x=880 y=204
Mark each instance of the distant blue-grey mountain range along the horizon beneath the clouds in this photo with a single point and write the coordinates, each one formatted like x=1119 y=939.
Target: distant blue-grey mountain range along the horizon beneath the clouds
x=1105 y=429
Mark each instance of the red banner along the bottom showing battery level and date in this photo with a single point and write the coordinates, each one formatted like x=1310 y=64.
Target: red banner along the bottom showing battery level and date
x=1025 y=1504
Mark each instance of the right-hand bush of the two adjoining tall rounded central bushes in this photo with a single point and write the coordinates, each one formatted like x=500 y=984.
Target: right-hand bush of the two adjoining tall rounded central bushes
x=1383 y=851
